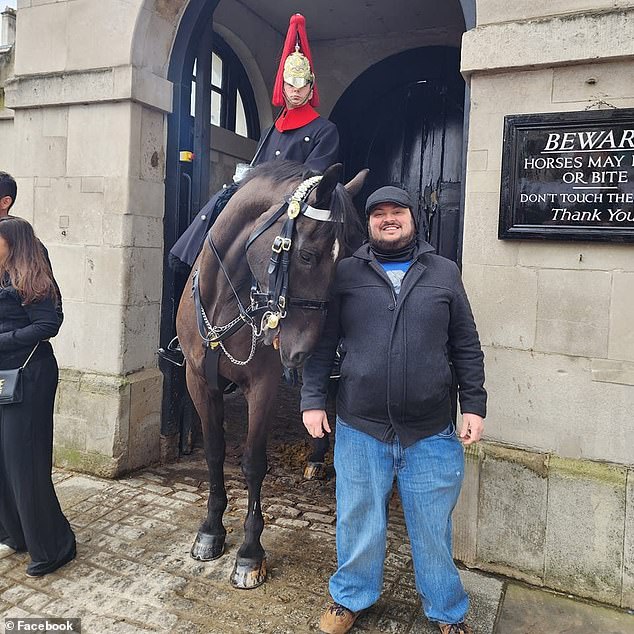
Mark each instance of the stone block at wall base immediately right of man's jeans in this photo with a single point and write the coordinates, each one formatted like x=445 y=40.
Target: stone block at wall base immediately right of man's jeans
x=512 y=515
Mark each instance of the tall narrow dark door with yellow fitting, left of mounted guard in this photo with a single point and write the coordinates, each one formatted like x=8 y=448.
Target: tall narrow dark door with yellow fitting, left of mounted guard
x=186 y=190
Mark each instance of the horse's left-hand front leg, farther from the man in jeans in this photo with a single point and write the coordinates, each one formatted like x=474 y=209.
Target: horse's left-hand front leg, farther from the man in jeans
x=210 y=540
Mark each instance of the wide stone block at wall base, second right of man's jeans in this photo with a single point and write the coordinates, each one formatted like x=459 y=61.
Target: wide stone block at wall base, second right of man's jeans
x=585 y=529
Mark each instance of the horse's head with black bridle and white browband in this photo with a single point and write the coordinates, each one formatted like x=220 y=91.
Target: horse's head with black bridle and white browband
x=319 y=237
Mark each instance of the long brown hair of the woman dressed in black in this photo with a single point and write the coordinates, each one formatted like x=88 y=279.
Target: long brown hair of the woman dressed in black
x=26 y=267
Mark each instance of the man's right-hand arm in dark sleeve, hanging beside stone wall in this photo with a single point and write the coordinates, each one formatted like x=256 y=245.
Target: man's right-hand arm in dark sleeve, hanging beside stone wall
x=468 y=360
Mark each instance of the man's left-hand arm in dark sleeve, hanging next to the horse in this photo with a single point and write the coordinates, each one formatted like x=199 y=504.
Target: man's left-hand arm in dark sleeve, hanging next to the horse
x=316 y=375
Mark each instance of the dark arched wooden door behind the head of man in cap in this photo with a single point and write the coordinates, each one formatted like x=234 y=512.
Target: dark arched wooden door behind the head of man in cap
x=403 y=118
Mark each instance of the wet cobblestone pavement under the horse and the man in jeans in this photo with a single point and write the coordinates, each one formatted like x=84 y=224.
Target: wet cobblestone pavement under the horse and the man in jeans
x=133 y=572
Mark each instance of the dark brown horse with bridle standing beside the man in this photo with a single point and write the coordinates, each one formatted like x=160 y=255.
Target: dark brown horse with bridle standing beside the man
x=259 y=292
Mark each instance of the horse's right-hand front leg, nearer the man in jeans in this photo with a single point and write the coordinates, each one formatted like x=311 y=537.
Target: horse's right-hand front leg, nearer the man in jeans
x=250 y=568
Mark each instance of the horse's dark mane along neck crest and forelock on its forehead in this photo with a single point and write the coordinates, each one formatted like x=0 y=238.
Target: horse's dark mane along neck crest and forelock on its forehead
x=347 y=226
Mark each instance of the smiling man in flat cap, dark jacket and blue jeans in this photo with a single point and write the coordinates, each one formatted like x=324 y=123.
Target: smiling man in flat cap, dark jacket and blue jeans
x=403 y=319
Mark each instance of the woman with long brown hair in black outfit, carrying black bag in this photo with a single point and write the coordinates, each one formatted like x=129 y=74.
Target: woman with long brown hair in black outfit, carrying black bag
x=30 y=515
